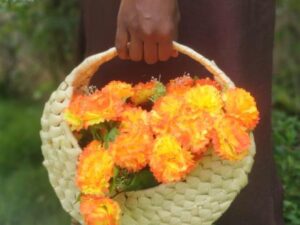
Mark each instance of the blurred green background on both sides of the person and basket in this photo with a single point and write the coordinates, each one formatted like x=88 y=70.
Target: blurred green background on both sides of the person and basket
x=38 y=45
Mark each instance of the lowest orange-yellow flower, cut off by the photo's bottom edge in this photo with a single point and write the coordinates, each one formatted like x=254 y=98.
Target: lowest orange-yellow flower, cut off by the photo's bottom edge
x=99 y=211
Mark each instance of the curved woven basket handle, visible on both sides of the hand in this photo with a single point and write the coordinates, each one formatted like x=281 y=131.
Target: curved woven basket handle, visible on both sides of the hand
x=82 y=74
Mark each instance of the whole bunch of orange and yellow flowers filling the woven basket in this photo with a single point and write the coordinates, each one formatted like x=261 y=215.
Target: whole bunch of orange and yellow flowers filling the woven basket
x=136 y=137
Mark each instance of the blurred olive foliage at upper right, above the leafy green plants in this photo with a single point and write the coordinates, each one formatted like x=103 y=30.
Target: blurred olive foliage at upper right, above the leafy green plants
x=286 y=89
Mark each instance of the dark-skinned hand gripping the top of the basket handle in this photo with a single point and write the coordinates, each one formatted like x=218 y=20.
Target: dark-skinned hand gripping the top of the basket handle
x=146 y=29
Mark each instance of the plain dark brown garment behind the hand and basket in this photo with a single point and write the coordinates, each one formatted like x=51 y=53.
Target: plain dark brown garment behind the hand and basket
x=238 y=36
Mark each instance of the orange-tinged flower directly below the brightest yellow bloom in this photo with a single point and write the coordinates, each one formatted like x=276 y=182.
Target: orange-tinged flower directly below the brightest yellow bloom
x=193 y=130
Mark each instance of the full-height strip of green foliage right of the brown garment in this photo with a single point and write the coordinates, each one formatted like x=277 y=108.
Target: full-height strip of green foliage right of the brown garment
x=286 y=105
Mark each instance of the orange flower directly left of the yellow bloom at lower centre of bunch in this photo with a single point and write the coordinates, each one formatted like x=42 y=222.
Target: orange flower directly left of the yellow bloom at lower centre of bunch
x=131 y=150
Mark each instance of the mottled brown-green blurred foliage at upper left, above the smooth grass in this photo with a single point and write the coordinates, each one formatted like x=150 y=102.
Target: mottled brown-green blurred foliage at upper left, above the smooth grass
x=37 y=40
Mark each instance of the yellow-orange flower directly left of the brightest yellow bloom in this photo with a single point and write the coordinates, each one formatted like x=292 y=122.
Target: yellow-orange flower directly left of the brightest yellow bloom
x=164 y=113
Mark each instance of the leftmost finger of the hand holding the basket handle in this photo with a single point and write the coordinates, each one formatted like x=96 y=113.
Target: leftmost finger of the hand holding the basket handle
x=121 y=42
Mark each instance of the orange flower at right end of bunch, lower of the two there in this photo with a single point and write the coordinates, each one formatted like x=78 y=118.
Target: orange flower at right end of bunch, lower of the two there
x=231 y=141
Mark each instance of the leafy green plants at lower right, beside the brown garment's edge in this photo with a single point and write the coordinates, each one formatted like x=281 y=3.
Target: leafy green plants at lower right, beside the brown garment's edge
x=286 y=137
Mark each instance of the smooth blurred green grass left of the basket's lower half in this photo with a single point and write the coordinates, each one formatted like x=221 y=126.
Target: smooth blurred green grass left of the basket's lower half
x=26 y=196
